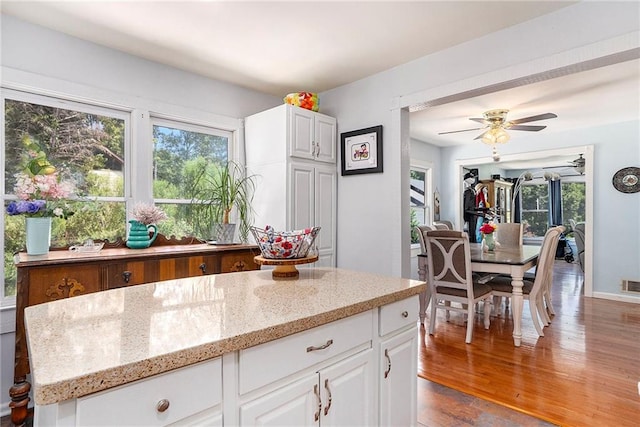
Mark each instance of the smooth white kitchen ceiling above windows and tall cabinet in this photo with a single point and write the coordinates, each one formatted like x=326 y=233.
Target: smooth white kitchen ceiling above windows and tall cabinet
x=279 y=47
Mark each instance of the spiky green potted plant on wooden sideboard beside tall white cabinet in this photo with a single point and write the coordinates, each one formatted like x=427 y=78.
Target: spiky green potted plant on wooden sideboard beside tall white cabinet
x=219 y=190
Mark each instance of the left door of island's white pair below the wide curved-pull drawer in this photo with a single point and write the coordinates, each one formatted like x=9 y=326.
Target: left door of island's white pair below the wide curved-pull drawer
x=296 y=404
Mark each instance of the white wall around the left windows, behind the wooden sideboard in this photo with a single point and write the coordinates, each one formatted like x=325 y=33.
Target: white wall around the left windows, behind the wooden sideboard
x=33 y=56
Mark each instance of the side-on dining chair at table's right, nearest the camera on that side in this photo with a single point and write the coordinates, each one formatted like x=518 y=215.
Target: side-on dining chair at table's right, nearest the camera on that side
x=533 y=291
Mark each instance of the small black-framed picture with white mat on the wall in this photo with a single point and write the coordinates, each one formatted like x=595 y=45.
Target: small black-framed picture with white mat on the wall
x=361 y=151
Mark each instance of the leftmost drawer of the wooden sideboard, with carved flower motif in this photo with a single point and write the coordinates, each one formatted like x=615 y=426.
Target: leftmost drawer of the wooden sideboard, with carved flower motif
x=52 y=283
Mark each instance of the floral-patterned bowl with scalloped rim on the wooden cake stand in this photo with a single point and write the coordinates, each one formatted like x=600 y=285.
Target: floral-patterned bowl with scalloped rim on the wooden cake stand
x=284 y=244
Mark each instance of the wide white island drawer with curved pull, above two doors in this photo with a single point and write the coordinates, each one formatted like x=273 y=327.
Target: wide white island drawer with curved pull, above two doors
x=265 y=363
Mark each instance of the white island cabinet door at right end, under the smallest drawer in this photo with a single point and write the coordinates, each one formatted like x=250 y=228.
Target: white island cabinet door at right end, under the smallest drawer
x=398 y=379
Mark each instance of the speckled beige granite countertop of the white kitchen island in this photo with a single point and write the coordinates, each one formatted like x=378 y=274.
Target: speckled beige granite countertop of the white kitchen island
x=89 y=343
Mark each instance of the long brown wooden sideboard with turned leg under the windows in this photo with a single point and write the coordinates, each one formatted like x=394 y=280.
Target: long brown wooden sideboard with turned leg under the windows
x=63 y=274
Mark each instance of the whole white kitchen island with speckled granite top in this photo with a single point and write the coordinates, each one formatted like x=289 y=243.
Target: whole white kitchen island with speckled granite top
x=333 y=347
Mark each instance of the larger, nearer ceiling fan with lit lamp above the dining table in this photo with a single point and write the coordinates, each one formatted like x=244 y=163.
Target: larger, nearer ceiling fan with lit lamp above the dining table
x=495 y=121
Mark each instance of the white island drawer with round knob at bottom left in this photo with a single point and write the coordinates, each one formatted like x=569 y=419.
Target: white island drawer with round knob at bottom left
x=188 y=390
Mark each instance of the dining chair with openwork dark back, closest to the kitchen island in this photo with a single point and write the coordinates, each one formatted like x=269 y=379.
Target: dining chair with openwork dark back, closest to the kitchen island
x=450 y=279
